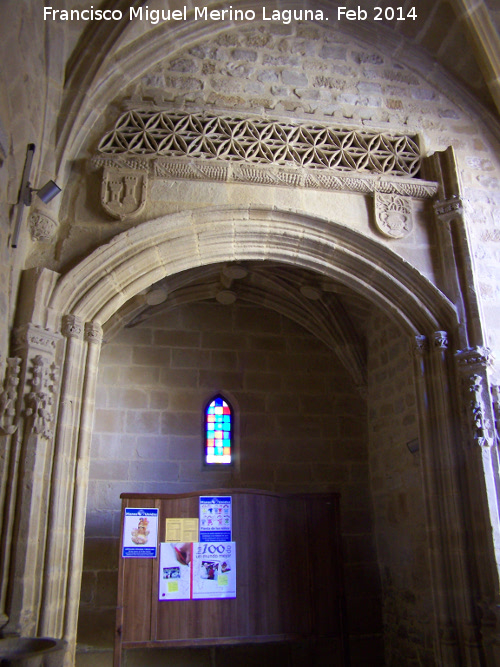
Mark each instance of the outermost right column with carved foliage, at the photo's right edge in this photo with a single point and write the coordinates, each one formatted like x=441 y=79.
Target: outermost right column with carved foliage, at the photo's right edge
x=482 y=464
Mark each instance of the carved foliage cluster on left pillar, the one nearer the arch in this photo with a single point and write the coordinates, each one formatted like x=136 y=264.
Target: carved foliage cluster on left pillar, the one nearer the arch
x=40 y=400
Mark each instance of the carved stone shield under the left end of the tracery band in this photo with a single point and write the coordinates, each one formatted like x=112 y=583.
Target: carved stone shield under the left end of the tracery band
x=123 y=193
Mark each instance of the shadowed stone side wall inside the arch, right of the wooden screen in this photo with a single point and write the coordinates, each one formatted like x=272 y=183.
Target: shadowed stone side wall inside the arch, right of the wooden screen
x=398 y=499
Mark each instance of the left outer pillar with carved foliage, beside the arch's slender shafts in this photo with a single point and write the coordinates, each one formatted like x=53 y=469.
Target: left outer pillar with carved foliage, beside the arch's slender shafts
x=24 y=537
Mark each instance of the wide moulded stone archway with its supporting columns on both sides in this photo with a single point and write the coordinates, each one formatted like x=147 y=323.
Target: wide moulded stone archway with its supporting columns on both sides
x=65 y=335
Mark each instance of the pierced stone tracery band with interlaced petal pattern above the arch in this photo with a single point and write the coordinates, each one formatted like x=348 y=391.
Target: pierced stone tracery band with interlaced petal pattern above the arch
x=179 y=134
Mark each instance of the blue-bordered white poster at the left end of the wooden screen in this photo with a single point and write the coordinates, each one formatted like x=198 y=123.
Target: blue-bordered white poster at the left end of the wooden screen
x=140 y=532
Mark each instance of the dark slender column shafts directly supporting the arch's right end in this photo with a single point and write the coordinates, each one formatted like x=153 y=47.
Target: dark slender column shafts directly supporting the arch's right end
x=457 y=618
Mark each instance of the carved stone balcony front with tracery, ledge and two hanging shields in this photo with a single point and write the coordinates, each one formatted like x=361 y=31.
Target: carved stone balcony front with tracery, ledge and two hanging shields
x=154 y=144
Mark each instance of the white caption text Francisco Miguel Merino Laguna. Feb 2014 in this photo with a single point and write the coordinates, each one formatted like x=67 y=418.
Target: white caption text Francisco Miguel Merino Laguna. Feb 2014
x=285 y=16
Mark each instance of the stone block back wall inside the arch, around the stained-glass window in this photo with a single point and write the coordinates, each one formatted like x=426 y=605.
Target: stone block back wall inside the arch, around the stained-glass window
x=300 y=425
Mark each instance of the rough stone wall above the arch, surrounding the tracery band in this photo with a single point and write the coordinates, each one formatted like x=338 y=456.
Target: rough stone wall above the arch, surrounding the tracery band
x=322 y=74
